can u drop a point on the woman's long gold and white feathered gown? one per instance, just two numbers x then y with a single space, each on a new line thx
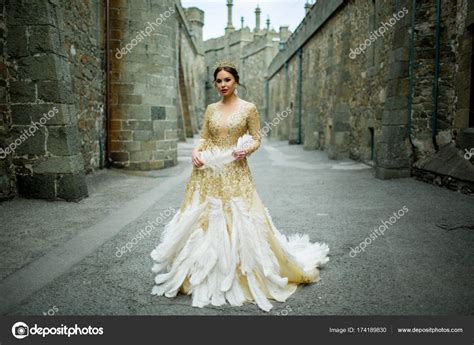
222 245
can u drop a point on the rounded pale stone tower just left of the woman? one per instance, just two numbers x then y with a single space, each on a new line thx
144 95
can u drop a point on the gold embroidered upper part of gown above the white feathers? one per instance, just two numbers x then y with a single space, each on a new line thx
223 130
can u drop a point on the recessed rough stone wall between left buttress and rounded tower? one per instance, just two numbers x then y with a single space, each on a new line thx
82 26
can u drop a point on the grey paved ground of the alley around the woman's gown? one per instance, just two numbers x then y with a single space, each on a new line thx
60 258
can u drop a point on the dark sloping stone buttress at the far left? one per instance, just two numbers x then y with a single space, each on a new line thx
41 127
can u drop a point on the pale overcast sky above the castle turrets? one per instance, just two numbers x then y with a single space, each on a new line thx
281 12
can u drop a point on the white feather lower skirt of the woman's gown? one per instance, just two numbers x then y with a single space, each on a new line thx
232 255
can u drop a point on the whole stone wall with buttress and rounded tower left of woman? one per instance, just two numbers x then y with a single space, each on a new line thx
53 62
